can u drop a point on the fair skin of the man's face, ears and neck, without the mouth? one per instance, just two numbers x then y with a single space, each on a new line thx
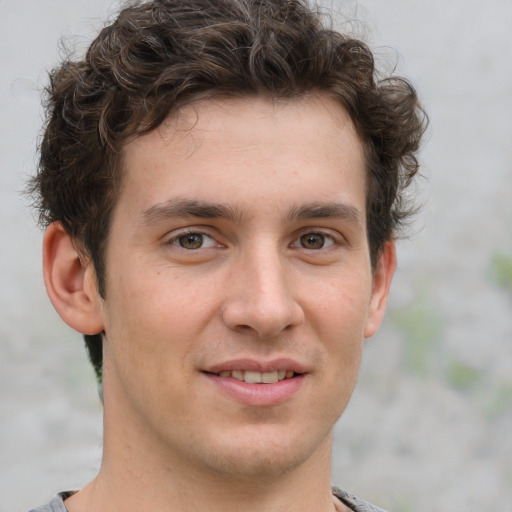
277 268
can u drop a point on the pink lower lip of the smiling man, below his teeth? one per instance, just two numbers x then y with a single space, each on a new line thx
257 395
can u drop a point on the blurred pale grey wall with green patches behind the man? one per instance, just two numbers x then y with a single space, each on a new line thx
430 424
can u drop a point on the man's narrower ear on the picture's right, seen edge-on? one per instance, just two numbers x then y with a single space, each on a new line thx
382 277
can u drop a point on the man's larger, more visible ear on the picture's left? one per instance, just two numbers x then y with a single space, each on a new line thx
70 282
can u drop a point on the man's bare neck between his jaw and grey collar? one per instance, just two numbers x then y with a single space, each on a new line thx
128 485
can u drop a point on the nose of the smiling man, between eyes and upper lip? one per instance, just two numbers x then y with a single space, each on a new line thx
259 296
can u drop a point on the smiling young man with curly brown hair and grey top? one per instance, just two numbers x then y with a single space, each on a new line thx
221 184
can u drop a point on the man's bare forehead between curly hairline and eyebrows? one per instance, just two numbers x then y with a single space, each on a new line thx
247 150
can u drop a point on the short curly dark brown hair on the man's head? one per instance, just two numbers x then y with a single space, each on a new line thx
159 56
